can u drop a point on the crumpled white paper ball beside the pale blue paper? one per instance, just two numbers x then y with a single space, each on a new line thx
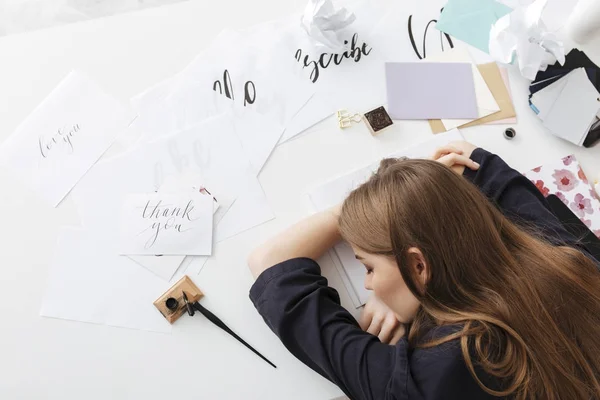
523 34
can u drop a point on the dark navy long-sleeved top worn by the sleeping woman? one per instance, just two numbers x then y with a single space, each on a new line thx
296 303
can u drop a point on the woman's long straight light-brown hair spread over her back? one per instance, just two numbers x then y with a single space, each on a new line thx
529 311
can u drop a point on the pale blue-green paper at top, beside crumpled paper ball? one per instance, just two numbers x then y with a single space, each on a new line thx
471 20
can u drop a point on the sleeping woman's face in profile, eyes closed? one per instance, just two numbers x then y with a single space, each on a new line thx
385 280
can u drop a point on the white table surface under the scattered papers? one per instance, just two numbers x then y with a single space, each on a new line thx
43 358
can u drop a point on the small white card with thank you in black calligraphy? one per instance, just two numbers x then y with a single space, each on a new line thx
167 223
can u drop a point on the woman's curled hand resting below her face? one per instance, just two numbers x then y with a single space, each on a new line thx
379 320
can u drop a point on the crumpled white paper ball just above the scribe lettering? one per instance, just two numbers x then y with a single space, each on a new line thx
323 22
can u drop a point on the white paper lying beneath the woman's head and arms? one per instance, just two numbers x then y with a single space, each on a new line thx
336 190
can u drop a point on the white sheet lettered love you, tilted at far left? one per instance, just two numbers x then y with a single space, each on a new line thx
64 136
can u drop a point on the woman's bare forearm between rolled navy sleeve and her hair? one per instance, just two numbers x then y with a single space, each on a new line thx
309 238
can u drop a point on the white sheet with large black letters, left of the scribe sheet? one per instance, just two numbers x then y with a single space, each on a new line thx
258 85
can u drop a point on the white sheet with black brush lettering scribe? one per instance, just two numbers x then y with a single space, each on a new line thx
351 78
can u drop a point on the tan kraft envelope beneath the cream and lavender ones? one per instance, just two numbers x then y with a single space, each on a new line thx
493 77
